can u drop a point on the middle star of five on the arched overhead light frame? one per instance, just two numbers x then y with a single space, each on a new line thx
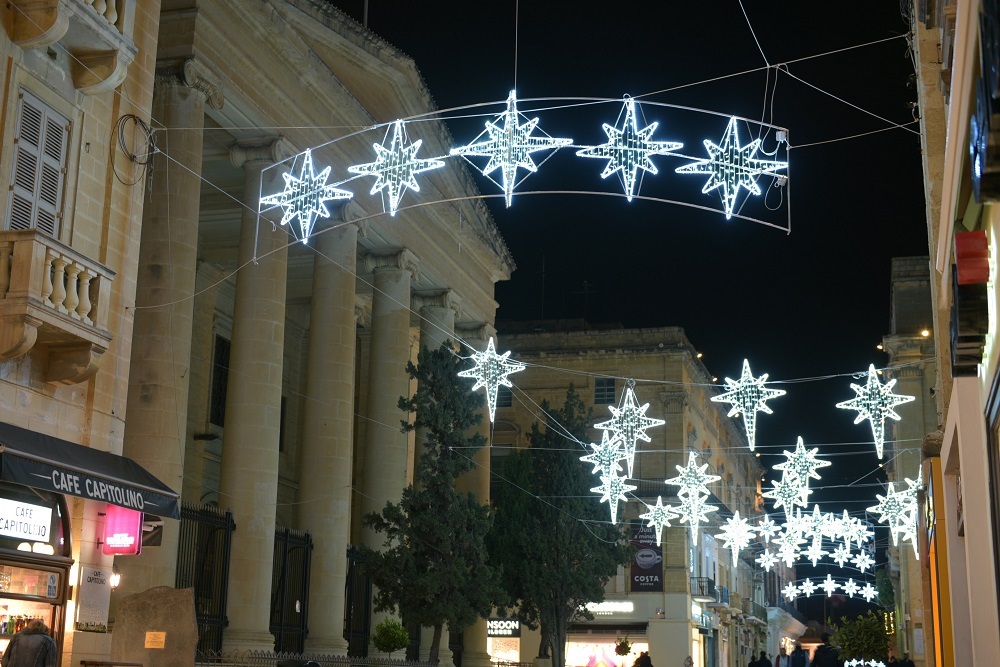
509 146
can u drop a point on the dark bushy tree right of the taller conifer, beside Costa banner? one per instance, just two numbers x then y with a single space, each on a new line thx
551 537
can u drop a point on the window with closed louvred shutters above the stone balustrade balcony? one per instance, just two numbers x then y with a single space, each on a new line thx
39 168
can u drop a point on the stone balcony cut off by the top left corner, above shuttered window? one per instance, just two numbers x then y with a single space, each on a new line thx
93 32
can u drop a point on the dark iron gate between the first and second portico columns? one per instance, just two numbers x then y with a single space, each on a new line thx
203 564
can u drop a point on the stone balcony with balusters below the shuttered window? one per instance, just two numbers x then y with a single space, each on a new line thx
53 298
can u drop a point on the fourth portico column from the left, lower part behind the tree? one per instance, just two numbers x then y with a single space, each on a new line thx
385 459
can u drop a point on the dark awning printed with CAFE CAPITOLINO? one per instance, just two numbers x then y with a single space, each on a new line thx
43 462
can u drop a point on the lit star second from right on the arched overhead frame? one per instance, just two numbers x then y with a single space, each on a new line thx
628 149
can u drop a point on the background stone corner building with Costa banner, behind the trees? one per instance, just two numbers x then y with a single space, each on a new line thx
719 612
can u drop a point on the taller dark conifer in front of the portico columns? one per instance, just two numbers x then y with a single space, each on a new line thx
433 567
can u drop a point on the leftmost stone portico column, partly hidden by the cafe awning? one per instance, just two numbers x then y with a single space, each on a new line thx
156 424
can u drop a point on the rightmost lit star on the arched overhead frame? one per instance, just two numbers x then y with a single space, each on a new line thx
731 167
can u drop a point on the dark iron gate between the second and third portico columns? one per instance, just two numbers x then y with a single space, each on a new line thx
290 590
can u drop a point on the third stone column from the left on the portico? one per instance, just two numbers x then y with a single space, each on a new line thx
326 462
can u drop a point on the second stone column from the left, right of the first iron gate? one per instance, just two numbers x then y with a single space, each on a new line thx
249 479
